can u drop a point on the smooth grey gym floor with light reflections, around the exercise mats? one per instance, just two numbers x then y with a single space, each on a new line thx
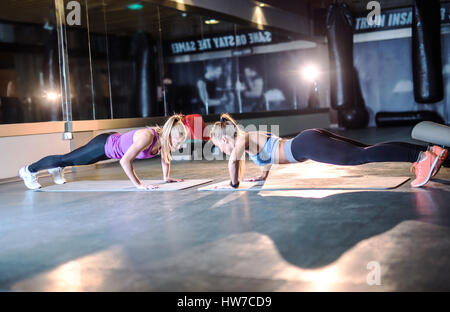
240 241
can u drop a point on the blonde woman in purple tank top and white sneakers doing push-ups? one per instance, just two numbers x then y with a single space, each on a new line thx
141 144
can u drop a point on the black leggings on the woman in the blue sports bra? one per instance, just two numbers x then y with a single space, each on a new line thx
326 147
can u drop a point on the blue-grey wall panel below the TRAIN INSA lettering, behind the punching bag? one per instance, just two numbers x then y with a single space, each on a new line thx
385 75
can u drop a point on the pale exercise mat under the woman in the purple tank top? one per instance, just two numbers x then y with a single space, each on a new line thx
121 186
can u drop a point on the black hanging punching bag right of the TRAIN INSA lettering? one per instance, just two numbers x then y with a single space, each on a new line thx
426 52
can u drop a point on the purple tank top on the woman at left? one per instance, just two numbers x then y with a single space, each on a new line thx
117 145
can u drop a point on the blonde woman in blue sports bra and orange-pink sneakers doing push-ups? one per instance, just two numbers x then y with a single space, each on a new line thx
319 145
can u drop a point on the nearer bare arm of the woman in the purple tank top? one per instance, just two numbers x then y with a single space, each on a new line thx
141 141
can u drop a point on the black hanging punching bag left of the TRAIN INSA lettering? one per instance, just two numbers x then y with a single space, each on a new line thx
340 49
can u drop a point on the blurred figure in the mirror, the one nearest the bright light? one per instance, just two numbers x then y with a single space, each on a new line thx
251 86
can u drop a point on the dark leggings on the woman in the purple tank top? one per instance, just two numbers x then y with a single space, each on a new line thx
88 154
